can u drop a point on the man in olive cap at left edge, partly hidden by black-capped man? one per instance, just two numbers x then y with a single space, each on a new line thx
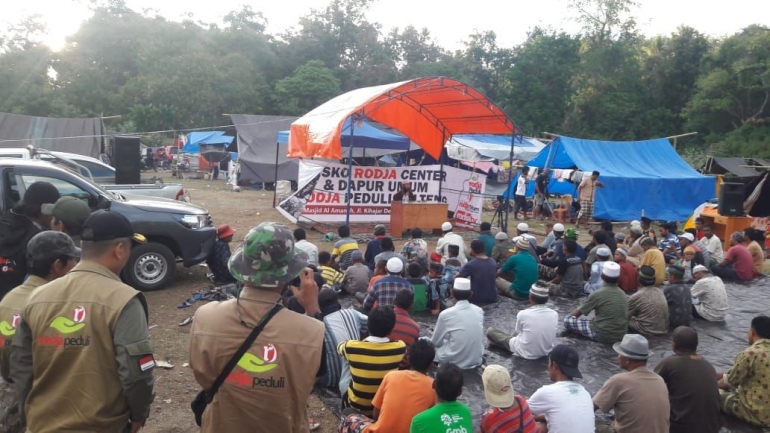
50 255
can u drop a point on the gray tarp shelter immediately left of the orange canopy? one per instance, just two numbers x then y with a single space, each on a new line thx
255 138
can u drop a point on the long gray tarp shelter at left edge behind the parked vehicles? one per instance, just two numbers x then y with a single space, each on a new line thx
81 136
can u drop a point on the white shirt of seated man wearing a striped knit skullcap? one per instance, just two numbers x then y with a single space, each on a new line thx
536 329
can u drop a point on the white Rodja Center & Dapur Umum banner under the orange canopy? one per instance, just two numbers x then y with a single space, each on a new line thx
323 190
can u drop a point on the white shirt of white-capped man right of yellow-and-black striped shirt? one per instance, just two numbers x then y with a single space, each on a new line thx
459 335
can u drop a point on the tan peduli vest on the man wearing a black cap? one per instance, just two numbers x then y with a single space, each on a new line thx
76 385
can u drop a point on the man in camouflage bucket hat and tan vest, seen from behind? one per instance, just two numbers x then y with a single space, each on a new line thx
267 391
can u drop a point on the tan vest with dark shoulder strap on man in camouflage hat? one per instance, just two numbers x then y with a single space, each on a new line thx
268 390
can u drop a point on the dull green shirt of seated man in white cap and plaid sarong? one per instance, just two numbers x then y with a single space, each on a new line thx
611 306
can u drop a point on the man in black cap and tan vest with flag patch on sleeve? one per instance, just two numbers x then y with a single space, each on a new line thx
90 367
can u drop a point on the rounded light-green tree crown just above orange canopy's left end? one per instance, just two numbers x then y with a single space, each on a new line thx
309 86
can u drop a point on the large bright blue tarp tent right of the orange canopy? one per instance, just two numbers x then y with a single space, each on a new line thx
640 177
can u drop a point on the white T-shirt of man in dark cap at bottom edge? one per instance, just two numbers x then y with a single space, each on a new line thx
567 406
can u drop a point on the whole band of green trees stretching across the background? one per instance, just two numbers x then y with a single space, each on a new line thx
607 81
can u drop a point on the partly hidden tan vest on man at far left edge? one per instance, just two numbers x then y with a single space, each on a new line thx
10 316
